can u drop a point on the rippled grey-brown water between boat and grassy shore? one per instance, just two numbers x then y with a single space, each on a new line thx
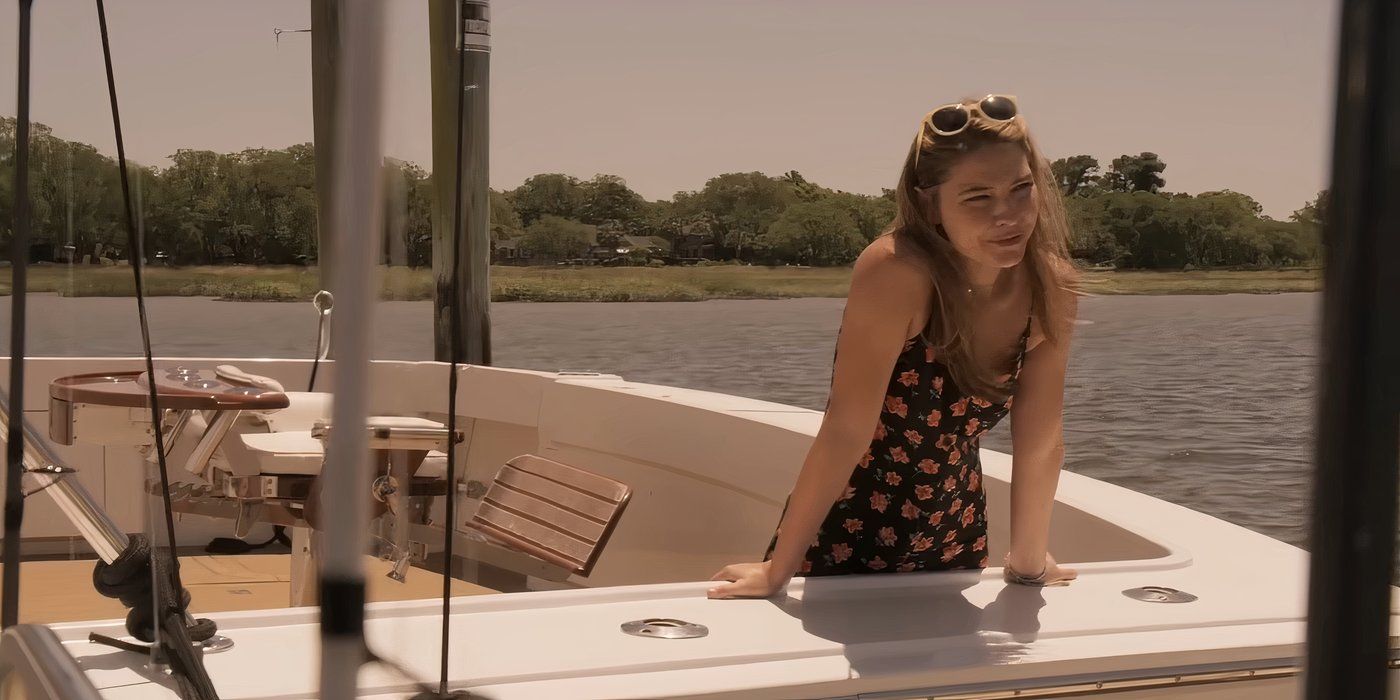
1200 401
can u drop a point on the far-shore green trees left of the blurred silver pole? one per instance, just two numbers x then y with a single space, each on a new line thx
257 206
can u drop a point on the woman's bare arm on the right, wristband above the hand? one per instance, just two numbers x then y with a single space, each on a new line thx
1038 450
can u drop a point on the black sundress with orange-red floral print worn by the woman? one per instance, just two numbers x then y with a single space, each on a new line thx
915 502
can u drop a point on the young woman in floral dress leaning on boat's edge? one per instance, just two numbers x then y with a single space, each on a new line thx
958 316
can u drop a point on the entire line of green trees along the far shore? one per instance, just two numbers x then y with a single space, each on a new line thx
258 208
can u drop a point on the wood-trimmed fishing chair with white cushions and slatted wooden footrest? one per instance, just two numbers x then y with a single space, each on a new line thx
244 449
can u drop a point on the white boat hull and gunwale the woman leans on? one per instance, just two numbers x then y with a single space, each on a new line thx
709 475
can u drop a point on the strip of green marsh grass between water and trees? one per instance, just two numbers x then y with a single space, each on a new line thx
603 283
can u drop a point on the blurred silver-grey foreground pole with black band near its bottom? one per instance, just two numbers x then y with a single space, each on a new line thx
356 218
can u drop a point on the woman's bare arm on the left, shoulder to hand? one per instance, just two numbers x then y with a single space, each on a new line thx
887 295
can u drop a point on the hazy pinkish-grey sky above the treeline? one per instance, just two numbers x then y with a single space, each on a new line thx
666 93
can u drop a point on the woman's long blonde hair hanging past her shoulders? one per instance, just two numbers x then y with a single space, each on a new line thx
932 157
